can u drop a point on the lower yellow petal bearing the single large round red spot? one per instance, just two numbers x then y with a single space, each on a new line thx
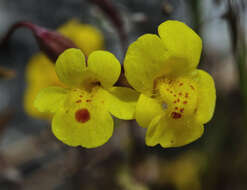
82 122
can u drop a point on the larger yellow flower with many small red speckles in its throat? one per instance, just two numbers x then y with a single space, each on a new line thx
176 98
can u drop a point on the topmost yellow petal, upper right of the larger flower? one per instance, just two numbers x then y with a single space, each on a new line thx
183 44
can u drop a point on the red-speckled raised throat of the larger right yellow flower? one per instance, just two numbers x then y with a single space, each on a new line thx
179 95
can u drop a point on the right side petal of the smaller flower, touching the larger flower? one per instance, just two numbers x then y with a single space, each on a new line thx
121 102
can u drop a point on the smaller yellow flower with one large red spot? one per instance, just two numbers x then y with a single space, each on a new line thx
82 112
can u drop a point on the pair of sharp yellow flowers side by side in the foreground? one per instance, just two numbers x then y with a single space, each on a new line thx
170 96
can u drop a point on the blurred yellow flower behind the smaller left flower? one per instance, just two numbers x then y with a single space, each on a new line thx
40 72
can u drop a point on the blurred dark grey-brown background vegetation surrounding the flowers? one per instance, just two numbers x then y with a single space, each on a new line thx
32 158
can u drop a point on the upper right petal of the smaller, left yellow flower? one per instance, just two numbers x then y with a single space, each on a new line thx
105 67
